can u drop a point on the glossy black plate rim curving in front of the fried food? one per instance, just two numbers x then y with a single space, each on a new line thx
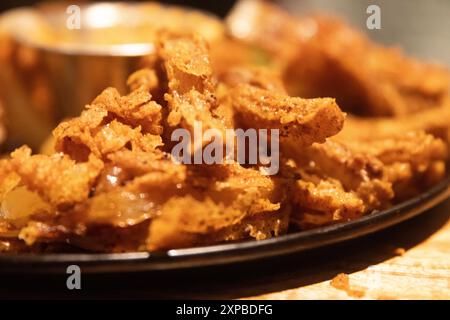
227 253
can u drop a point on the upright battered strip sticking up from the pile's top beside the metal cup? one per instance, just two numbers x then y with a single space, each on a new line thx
190 90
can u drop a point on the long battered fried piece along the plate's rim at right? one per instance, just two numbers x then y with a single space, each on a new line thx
344 180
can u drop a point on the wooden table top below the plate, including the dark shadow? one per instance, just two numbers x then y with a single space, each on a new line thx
408 261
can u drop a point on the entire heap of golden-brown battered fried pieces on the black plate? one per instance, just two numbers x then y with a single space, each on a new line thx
110 183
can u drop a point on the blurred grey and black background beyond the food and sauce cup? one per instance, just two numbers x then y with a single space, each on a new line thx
421 27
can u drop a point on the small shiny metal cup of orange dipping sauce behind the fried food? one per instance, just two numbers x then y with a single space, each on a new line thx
109 46
